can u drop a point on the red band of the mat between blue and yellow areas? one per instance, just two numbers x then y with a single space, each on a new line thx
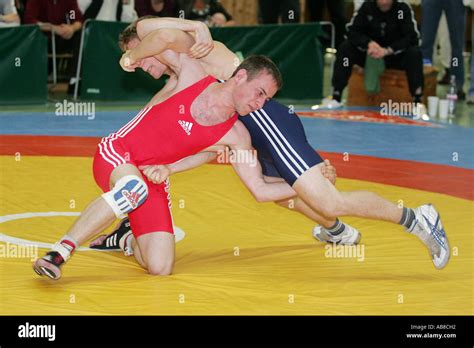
450 180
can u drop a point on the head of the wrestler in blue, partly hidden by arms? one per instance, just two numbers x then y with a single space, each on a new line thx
129 39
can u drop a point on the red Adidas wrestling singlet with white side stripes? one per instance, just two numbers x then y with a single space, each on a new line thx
159 134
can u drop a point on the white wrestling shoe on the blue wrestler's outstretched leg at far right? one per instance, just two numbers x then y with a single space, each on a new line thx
427 226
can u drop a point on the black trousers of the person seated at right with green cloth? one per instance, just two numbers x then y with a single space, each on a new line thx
411 61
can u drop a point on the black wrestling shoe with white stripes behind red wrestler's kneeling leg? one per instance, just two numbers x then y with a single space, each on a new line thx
117 240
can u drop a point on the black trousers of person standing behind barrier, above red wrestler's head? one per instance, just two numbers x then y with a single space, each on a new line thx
271 10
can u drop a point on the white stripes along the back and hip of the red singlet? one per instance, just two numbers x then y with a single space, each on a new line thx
106 147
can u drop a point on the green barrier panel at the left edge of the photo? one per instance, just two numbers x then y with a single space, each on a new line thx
23 65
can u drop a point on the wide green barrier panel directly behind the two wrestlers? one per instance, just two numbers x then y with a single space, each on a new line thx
295 48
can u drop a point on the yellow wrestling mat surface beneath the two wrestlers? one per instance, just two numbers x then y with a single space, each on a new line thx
237 256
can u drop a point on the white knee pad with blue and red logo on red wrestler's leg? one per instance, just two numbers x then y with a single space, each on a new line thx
127 195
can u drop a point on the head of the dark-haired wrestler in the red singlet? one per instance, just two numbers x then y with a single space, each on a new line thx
257 79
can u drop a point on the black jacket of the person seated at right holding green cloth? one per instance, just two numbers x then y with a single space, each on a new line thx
396 28
